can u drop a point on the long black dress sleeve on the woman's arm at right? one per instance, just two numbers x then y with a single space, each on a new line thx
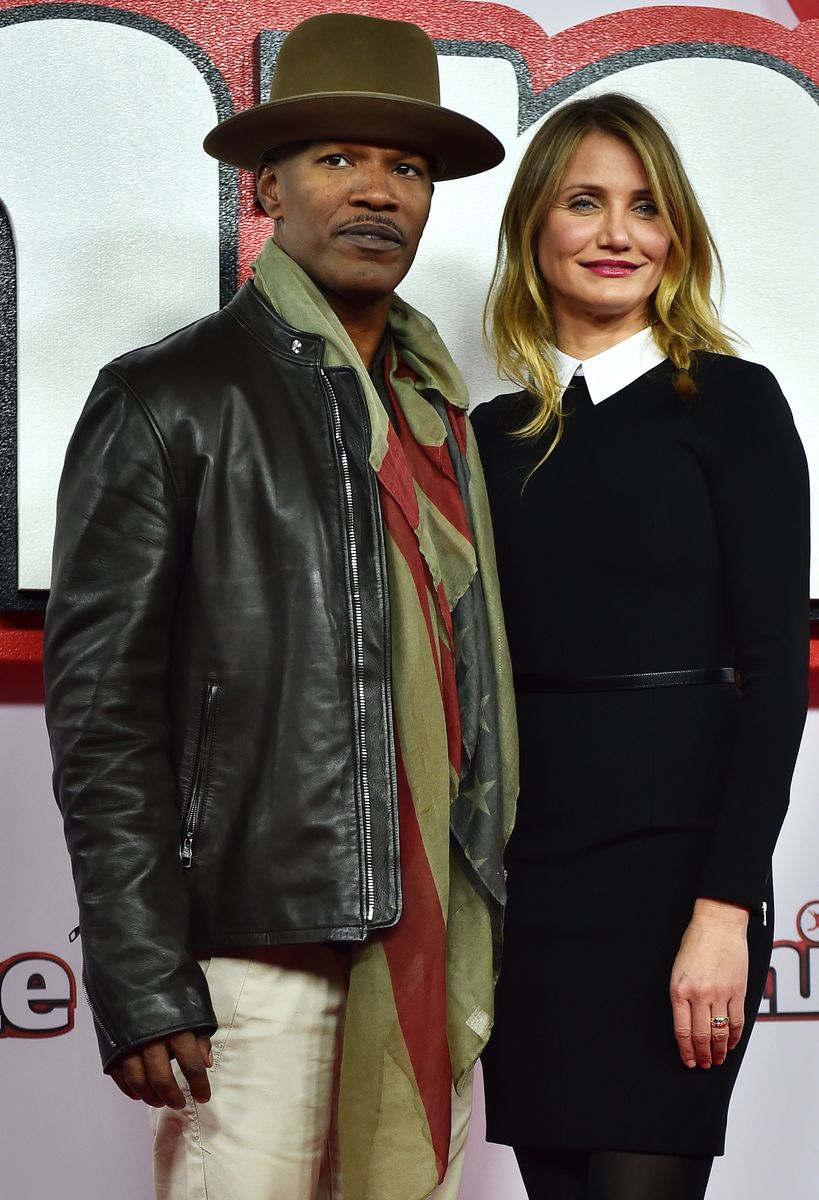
760 489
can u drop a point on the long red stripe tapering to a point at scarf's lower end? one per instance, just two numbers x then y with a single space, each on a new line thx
416 952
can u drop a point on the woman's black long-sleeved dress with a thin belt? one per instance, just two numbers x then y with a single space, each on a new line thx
661 536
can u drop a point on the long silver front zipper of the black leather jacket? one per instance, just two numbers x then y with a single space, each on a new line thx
357 622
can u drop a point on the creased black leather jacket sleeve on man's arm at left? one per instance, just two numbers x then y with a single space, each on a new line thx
118 557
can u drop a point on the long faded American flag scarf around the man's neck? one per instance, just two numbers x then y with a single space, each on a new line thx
420 1006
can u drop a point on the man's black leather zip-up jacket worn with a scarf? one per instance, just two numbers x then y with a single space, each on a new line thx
218 665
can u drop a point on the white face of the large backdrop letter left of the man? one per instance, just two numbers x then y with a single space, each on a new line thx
135 256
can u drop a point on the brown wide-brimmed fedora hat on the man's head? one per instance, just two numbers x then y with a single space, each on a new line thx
342 76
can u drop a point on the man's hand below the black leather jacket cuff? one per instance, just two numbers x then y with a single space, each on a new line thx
146 1075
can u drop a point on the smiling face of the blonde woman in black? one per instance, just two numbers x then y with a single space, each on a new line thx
602 247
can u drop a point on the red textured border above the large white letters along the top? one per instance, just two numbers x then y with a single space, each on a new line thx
235 47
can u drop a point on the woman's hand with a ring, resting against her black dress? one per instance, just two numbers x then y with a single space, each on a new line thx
709 979
